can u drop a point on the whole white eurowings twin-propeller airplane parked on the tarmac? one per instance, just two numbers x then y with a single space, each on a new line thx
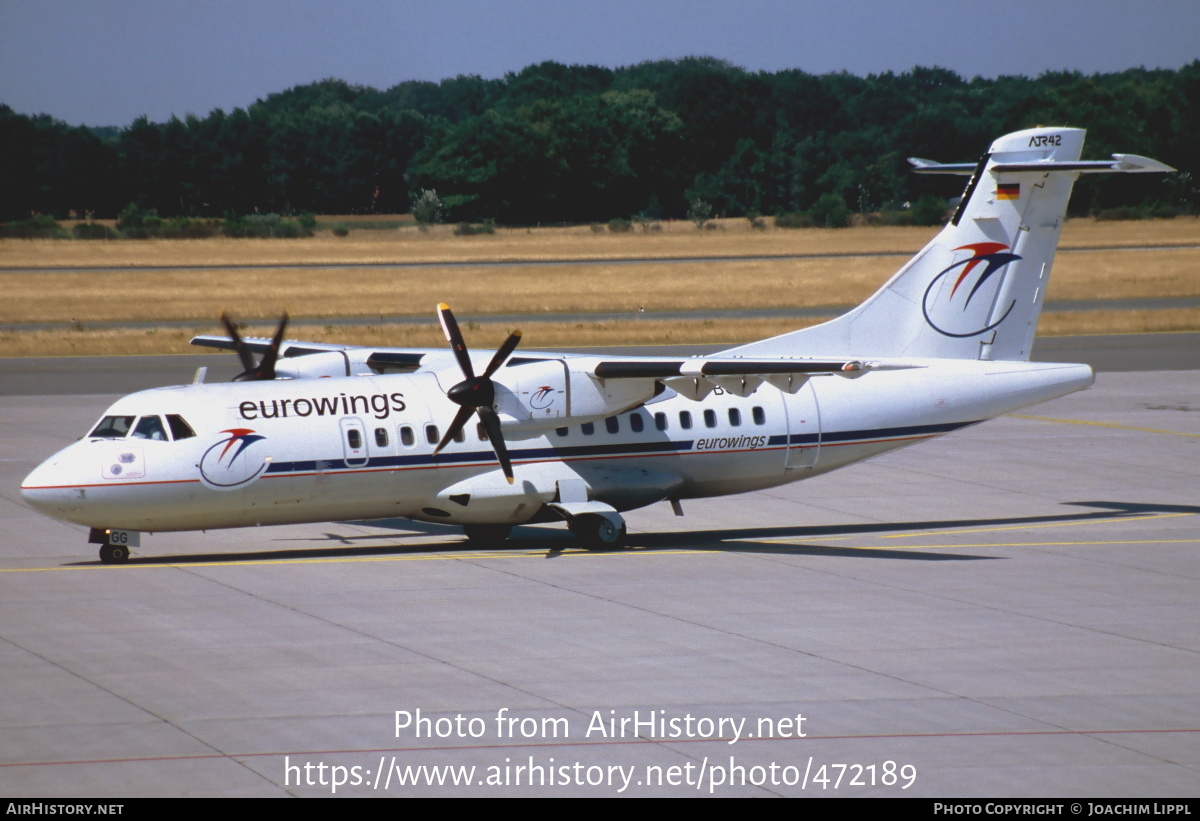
323 433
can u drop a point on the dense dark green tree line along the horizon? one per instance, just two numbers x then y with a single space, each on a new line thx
585 143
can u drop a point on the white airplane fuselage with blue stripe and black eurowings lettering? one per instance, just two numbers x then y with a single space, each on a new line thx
309 451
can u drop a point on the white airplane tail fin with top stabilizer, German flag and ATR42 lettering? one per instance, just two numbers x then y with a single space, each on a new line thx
976 291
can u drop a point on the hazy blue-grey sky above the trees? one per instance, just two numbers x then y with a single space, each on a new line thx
109 62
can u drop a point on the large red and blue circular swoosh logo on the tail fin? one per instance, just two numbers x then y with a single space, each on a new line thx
959 301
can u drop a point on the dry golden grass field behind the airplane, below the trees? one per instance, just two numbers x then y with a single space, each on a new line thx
136 292
